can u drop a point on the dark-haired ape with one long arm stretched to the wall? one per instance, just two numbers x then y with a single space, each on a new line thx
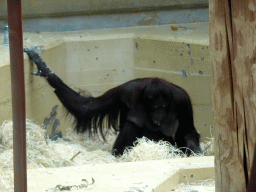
149 107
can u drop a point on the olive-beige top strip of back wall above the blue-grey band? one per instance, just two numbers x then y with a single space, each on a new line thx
50 8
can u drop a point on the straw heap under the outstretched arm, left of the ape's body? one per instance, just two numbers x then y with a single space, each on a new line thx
43 152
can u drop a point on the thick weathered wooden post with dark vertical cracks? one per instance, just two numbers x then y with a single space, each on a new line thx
233 56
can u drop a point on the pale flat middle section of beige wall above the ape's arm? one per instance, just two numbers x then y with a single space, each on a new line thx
99 64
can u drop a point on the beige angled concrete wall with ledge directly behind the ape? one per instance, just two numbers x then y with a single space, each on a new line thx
103 59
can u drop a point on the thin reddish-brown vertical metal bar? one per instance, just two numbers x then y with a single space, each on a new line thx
18 94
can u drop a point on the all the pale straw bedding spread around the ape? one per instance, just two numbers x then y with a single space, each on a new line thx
73 150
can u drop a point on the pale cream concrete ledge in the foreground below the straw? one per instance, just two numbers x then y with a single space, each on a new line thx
162 175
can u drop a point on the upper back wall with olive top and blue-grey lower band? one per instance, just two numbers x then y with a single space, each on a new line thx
70 15
